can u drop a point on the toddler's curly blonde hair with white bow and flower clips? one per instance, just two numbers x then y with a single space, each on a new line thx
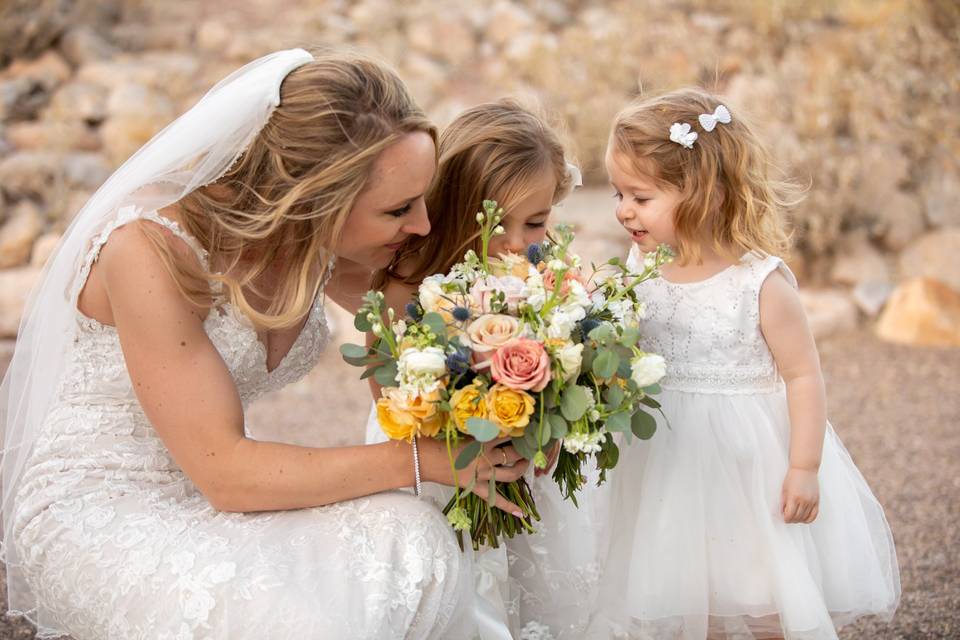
724 179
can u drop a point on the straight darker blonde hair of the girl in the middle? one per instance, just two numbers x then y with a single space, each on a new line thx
491 151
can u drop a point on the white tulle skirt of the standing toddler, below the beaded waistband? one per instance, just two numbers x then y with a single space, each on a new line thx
698 547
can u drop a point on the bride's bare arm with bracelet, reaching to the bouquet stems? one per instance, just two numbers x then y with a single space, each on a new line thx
189 397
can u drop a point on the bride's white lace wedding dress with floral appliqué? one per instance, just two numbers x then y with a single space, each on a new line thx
117 542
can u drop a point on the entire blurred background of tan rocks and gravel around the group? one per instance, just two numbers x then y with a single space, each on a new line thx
859 99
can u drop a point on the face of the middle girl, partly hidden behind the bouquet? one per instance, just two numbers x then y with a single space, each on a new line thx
525 222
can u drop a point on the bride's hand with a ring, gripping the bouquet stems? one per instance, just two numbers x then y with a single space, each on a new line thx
503 463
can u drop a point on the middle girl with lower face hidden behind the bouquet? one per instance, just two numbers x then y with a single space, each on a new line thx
503 151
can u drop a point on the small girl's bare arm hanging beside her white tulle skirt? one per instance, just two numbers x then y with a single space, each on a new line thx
785 329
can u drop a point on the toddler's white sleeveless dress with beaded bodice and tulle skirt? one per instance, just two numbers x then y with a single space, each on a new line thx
698 544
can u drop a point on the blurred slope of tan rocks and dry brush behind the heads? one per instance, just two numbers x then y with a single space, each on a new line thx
858 99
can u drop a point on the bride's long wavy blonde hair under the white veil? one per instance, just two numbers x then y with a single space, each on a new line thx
286 199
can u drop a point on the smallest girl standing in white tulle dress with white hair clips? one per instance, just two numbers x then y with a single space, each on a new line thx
744 517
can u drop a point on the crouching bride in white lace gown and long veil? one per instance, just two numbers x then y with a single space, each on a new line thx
193 282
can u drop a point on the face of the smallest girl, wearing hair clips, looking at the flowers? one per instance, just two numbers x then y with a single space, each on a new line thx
646 210
